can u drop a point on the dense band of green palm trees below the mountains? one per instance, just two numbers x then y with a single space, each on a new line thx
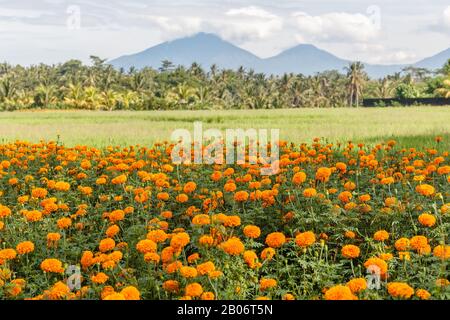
73 85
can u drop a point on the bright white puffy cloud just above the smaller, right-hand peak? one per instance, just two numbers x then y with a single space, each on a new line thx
336 27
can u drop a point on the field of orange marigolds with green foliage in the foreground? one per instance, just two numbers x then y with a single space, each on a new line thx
140 227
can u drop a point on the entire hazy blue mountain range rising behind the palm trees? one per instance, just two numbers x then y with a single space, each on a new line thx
208 49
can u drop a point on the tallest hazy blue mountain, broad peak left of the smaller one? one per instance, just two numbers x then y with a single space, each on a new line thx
203 48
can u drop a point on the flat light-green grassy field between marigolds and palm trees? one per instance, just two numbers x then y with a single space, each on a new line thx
413 126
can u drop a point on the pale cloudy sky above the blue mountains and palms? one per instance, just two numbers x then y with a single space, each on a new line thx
375 31
